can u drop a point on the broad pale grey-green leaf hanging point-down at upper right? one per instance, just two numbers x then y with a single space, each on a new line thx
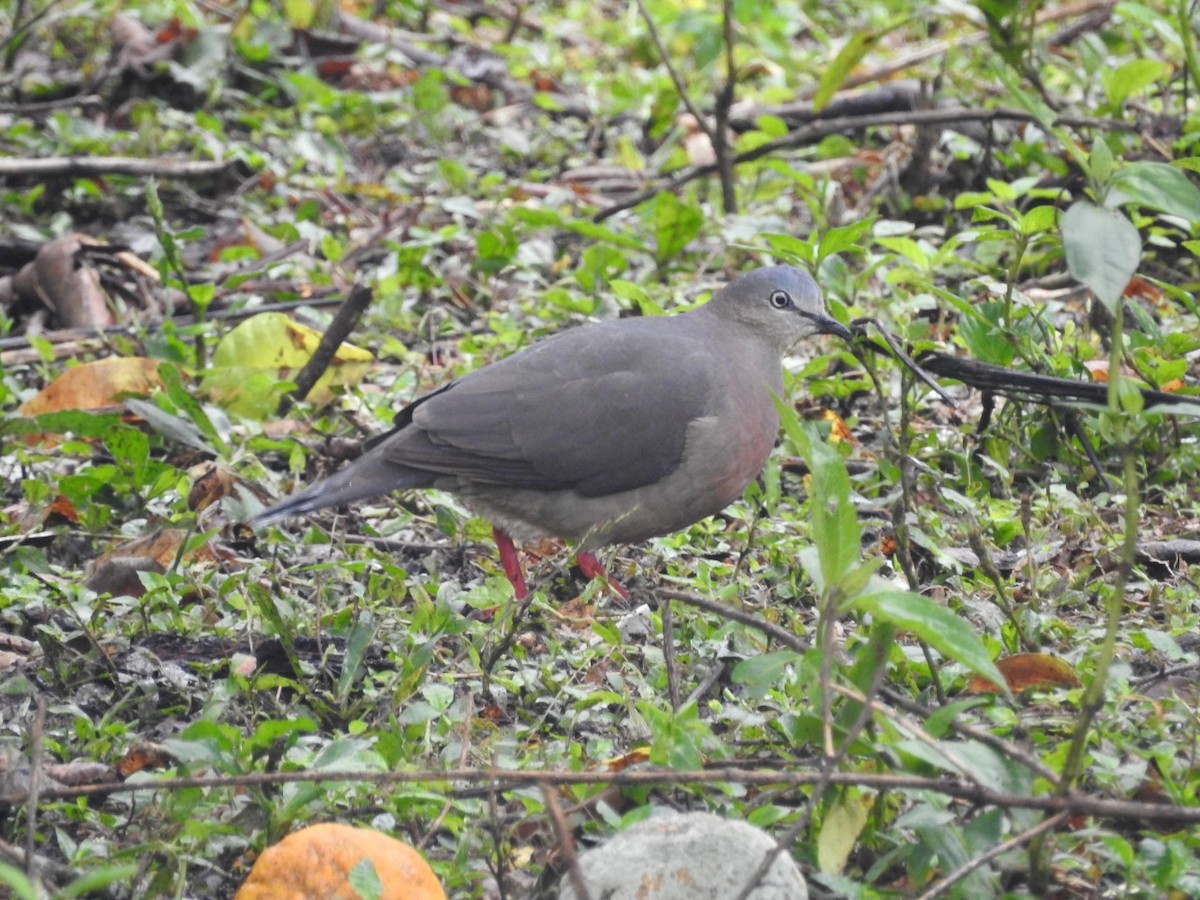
1103 250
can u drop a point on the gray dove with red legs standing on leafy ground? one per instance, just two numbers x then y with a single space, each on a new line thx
613 433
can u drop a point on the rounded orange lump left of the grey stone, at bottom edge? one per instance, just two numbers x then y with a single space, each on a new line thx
316 862
